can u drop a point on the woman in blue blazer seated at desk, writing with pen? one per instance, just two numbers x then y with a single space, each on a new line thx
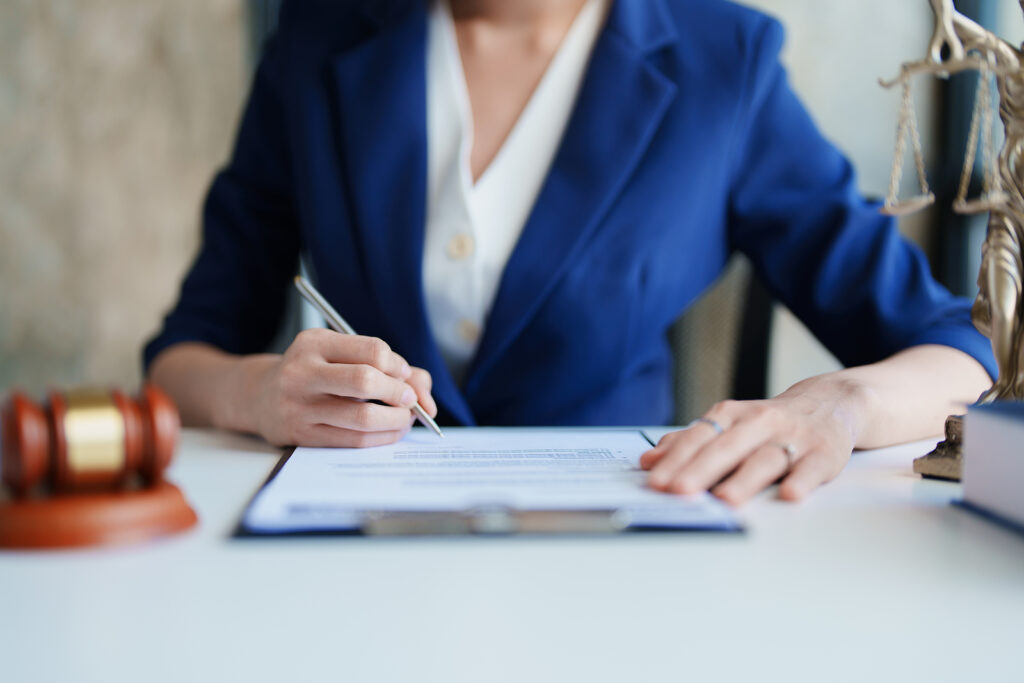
521 198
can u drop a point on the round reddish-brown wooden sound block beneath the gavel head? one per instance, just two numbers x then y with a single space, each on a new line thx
106 519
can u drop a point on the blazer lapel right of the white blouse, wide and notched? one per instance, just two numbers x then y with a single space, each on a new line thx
621 104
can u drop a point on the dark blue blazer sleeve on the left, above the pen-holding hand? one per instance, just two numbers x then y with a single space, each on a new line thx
235 293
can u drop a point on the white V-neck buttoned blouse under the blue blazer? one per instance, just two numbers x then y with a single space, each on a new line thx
473 228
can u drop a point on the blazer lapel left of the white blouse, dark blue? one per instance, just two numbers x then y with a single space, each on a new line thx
381 102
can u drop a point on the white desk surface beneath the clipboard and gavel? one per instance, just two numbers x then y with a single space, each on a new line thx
875 578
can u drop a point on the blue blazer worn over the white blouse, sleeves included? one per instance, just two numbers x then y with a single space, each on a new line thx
686 145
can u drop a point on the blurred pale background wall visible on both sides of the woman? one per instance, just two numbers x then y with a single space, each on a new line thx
115 114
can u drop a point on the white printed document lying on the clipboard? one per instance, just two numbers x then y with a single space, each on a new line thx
518 469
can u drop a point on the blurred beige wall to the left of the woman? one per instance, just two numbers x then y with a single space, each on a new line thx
114 114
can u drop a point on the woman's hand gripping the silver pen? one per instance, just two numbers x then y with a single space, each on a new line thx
319 393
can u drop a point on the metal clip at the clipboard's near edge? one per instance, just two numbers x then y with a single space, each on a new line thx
493 521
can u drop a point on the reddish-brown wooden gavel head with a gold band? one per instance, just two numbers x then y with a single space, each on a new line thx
88 440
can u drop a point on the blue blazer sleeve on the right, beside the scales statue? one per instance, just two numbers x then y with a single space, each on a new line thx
824 251
